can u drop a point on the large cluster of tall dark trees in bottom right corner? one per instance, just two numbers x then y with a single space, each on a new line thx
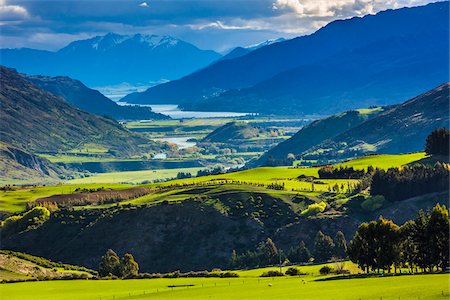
420 243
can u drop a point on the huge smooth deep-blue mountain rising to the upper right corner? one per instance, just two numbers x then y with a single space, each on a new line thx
377 59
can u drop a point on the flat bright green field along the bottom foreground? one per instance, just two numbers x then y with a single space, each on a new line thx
402 287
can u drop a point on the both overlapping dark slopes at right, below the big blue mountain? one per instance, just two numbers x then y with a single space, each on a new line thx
394 129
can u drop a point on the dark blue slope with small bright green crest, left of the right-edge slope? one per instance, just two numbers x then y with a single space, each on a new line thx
313 134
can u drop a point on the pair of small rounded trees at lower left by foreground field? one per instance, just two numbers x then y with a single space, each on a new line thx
112 265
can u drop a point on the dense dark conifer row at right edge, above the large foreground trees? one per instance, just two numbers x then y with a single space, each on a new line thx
409 181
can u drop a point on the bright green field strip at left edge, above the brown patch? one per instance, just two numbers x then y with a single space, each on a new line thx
15 201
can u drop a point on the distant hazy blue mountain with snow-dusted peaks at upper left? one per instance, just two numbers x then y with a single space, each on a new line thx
113 59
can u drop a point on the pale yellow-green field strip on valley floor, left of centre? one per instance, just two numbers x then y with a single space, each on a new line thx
133 176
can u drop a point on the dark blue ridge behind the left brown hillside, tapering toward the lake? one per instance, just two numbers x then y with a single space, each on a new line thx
76 93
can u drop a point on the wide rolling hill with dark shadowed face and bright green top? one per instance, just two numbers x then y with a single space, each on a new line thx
193 224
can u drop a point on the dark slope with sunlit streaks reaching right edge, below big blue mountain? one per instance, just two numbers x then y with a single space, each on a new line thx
401 129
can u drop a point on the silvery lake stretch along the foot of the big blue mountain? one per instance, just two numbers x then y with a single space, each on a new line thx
174 112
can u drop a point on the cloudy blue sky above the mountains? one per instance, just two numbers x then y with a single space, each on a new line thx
209 24
